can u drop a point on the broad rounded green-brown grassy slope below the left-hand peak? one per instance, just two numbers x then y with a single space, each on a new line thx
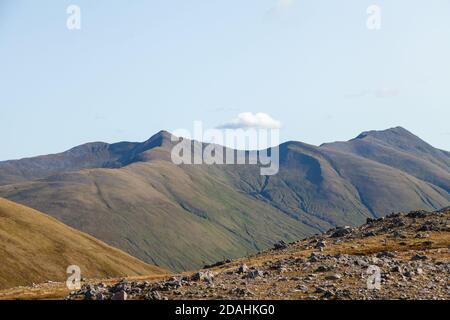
179 218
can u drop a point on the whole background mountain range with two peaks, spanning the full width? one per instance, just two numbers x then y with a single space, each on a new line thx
181 217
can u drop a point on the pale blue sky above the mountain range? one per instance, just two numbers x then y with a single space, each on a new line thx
313 67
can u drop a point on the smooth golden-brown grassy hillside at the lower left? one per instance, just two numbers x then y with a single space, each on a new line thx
37 248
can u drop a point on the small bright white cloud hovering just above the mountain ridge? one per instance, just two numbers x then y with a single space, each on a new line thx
248 120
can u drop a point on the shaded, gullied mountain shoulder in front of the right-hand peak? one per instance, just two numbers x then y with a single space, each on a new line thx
335 188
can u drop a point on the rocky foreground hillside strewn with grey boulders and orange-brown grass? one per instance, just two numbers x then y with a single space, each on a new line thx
402 256
